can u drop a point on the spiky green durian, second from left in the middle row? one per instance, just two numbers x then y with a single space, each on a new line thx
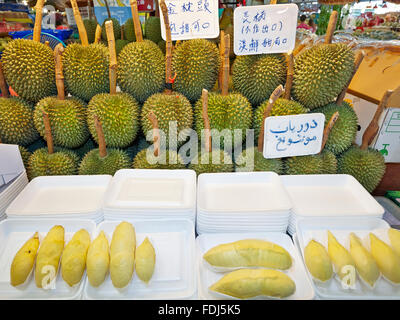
67 119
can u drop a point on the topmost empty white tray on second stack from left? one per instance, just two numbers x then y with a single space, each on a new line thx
138 189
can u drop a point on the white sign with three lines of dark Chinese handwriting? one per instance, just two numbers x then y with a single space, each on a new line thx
265 29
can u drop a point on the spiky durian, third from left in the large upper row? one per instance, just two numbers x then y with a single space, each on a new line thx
141 69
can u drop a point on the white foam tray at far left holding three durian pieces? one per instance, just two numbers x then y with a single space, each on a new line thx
13 234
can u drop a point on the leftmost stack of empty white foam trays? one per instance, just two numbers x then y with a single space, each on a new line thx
61 197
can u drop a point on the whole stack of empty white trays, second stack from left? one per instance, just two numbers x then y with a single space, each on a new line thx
143 194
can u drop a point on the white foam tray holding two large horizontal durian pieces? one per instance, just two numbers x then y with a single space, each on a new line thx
207 277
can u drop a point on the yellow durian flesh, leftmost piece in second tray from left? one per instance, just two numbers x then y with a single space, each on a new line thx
98 260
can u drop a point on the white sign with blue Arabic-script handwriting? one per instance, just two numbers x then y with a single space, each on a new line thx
296 135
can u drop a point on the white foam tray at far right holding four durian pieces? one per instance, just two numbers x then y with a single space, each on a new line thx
308 229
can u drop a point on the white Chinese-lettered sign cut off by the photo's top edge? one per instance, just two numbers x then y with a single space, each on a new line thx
191 19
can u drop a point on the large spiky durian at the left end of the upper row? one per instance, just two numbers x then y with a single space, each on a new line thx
28 67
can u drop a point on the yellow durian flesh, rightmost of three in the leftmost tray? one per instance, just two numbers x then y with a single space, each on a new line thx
73 261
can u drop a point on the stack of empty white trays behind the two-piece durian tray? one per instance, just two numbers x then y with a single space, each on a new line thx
241 202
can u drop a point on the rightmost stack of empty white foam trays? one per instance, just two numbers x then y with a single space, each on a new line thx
337 195
